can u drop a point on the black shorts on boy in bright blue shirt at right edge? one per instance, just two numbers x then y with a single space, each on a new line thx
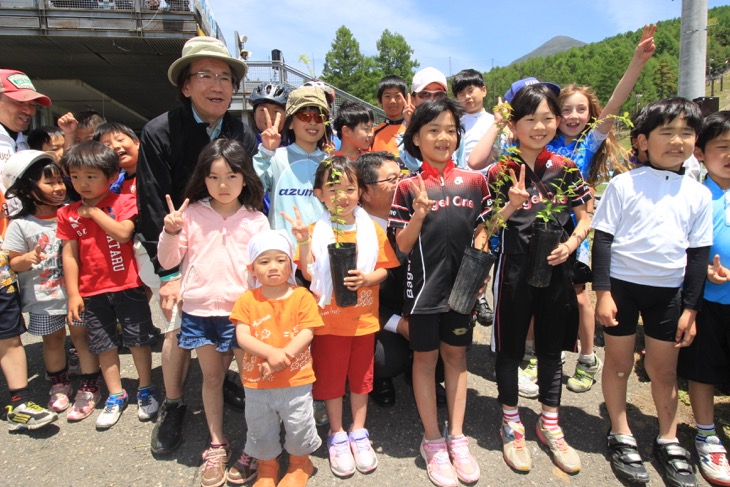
707 360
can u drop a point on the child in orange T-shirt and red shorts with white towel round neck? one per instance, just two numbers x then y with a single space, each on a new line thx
348 335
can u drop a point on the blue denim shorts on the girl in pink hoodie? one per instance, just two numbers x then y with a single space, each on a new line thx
198 331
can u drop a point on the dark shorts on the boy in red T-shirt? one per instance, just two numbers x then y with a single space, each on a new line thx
128 307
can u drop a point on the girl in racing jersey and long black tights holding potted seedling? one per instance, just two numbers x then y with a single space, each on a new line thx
552 189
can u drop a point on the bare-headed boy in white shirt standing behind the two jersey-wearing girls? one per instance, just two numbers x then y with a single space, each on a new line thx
469 89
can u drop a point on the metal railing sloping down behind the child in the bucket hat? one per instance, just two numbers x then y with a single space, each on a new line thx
260 71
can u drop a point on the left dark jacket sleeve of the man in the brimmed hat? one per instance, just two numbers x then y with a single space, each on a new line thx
154 181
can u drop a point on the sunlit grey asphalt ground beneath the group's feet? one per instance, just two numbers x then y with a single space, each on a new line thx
65 454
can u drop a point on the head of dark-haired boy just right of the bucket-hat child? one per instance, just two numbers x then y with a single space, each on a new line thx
354 125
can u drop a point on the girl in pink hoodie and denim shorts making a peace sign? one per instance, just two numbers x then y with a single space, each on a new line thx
209 240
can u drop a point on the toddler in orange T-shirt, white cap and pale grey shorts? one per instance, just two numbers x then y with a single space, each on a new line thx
274 321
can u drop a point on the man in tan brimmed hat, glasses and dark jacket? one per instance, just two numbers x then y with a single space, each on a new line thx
206 76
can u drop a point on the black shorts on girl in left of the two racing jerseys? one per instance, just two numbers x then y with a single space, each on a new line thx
426 332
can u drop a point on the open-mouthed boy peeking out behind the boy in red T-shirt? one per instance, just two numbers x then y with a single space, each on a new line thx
122 140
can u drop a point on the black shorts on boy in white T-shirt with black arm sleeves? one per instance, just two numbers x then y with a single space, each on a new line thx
659 307
